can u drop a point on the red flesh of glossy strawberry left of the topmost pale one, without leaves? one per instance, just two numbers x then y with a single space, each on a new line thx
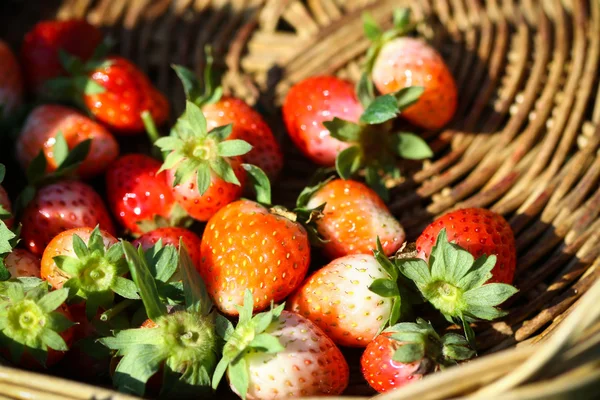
310 103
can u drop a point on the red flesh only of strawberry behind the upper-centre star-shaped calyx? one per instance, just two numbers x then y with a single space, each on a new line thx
248 125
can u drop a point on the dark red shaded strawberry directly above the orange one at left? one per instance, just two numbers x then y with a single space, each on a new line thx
61 206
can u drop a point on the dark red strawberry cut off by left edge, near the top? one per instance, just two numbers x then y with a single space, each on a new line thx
11 81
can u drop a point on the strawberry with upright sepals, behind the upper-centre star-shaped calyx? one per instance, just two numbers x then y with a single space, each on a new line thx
247 124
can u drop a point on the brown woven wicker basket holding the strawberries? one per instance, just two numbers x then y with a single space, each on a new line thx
524 143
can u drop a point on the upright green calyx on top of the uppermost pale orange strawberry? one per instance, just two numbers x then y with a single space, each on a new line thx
373 32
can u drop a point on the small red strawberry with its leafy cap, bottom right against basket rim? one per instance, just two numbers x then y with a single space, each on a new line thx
406 352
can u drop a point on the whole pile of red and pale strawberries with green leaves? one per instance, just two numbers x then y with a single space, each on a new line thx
170 272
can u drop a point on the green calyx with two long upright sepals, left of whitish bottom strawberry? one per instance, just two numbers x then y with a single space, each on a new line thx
182 341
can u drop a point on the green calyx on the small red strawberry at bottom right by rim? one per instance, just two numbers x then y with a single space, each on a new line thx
420 342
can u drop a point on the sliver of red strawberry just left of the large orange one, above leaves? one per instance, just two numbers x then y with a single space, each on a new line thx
171 236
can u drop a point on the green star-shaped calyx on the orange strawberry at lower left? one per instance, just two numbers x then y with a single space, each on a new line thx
96 273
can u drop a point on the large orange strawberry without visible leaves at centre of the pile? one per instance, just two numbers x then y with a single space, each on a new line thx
247 246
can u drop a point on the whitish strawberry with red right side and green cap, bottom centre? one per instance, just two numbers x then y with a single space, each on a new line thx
279 354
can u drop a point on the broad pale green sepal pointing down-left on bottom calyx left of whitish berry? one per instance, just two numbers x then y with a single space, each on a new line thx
136 367
